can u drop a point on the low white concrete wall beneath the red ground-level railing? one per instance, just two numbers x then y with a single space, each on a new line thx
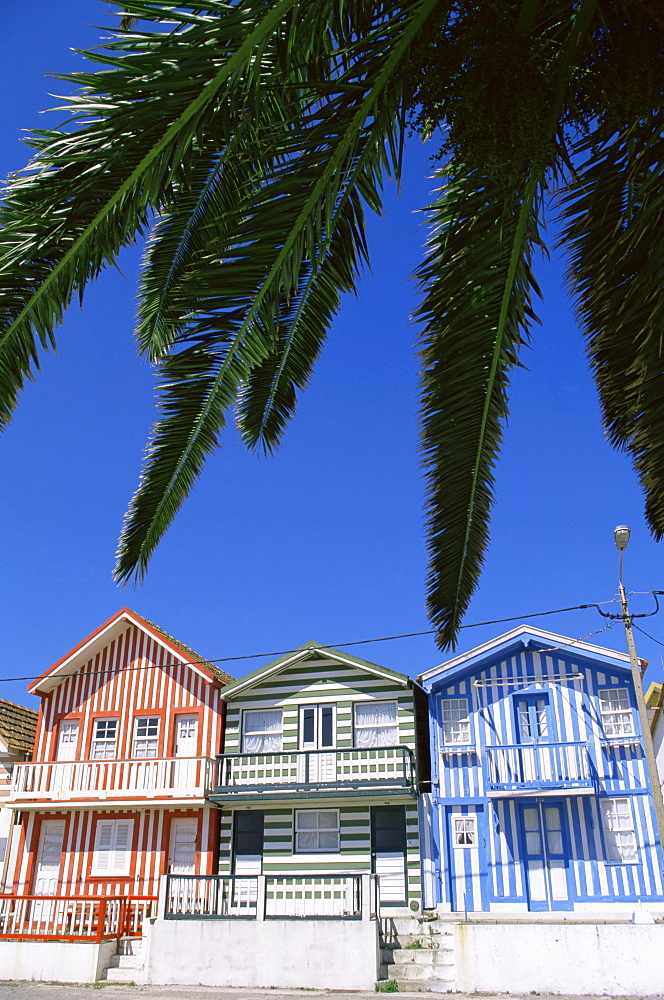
54 961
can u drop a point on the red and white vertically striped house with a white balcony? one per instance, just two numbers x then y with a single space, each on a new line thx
115 796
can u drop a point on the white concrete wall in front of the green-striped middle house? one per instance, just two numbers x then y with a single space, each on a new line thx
305 954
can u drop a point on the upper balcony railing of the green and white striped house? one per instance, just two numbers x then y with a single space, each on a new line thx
378 766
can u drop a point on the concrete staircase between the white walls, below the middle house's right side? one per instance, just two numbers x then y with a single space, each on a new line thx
418 954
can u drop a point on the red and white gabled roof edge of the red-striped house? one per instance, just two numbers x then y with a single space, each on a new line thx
123 620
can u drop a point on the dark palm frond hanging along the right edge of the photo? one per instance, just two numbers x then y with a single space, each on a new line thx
614 211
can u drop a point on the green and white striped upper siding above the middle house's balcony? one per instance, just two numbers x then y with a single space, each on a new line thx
319 682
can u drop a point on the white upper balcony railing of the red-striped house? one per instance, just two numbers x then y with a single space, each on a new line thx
184 777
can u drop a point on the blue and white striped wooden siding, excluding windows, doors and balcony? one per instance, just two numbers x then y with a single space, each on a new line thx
494 873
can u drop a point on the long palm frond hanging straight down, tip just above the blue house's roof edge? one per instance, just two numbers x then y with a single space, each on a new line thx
476 316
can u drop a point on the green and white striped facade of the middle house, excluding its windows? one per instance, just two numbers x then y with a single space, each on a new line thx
304 682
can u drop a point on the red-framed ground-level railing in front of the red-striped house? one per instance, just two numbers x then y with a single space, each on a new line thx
73 918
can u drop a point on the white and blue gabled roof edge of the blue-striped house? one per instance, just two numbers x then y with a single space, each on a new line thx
522 637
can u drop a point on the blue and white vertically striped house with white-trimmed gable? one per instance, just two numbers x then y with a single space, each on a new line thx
540 796
